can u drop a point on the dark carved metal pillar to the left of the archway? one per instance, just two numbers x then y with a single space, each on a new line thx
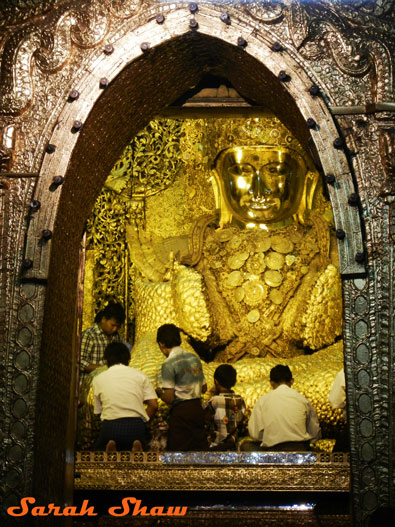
21 313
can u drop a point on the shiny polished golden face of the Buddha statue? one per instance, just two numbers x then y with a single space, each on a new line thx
260 185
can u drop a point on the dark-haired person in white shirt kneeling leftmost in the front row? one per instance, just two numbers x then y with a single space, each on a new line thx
120 394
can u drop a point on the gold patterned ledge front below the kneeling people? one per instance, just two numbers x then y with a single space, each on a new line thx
146 471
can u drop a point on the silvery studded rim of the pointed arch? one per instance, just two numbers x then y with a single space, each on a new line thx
334 161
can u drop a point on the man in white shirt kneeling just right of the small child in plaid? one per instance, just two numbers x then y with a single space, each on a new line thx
283 419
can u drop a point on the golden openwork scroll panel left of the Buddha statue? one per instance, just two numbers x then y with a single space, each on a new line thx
148 165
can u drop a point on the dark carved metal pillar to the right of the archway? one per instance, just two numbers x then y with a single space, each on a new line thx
369 320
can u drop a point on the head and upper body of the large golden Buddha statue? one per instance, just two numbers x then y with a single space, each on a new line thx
266 285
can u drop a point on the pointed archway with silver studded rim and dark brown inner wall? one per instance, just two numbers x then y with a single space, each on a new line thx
120 87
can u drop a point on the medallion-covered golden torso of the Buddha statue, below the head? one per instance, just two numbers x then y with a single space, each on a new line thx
277 284
